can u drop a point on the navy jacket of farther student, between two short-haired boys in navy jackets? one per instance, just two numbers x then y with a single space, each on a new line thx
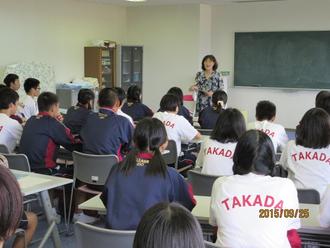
76 117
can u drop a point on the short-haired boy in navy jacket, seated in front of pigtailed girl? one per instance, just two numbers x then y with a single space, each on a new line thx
106 132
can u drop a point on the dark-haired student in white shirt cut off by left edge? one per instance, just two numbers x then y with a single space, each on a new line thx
10 130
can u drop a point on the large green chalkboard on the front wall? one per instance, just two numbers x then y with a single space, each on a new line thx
283 59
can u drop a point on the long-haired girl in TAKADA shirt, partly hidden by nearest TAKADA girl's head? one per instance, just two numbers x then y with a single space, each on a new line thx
216 154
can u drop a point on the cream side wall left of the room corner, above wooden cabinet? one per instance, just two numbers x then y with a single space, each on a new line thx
55 32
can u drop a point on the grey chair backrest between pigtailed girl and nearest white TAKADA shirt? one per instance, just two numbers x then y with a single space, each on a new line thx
201 183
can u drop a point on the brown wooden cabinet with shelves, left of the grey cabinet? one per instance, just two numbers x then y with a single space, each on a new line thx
100 64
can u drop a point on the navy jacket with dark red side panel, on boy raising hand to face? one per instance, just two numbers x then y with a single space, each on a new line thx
42 136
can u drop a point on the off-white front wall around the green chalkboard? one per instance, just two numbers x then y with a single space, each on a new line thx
273 16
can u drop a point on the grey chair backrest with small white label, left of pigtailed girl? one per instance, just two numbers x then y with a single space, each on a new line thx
92 169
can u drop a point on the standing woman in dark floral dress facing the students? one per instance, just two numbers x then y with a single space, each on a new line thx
207 81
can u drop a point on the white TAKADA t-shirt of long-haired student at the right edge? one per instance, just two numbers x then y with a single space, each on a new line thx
308 168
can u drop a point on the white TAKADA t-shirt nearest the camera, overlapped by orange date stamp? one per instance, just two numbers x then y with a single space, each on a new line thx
235 204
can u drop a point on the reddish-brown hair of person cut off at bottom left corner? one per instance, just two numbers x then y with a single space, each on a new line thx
11 207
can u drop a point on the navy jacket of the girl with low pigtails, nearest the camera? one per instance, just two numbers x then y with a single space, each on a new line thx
127 197
